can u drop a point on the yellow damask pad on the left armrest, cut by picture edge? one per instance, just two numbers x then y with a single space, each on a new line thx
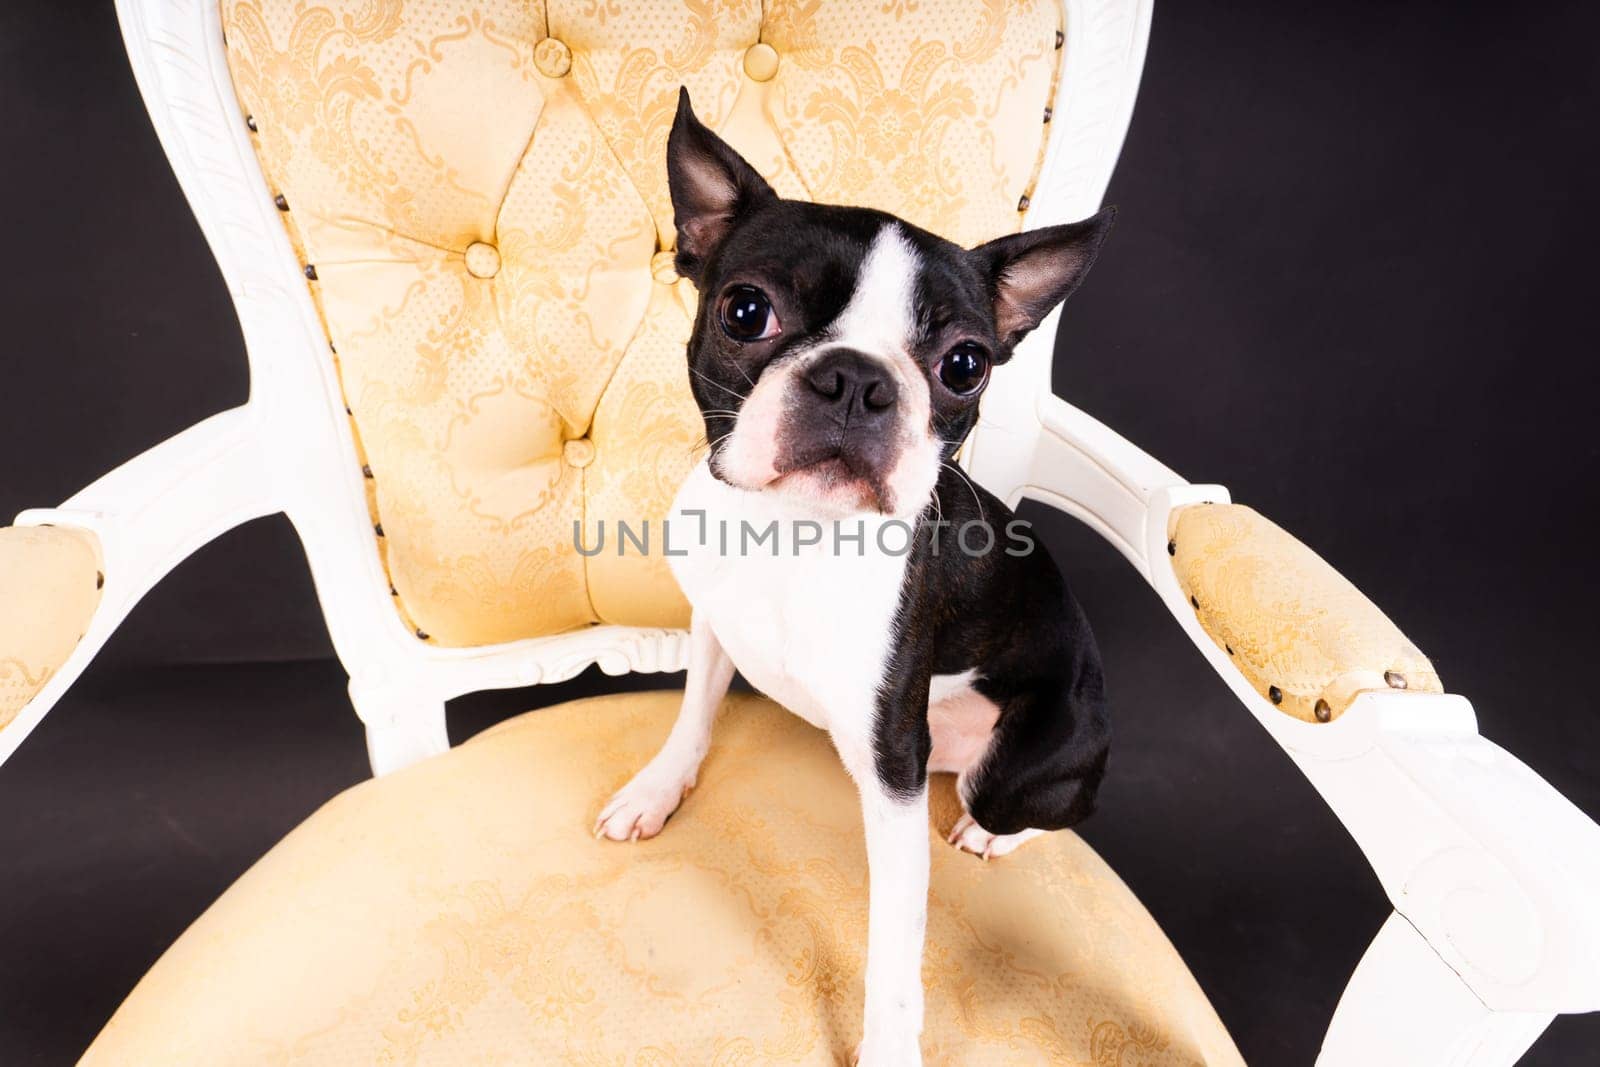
50 586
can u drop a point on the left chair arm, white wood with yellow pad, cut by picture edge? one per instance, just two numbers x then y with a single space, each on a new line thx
71 575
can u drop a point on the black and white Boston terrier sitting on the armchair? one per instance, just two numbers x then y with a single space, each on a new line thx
838 359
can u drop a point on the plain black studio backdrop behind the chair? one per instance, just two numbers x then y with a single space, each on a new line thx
1353 279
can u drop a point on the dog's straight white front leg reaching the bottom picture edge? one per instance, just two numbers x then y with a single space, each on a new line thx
897 833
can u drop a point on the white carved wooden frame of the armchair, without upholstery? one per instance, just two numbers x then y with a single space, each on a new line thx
1492 873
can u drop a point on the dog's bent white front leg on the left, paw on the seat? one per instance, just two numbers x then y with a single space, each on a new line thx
641 809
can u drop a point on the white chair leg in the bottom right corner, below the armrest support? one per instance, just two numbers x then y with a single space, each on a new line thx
1404 1005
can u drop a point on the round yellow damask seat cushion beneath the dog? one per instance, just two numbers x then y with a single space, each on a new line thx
462 913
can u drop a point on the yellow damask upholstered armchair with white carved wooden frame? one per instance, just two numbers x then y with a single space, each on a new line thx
447 231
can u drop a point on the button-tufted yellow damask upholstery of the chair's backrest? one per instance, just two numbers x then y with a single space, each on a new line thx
479 191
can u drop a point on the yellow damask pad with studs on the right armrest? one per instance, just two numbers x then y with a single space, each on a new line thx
1300 631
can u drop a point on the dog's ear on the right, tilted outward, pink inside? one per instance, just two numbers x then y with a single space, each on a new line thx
1034 271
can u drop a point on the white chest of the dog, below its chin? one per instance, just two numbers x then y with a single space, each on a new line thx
804 607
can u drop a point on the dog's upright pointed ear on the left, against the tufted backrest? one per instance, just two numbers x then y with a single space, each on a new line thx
711 188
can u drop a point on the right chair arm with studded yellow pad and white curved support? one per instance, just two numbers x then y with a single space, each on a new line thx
1490 865
